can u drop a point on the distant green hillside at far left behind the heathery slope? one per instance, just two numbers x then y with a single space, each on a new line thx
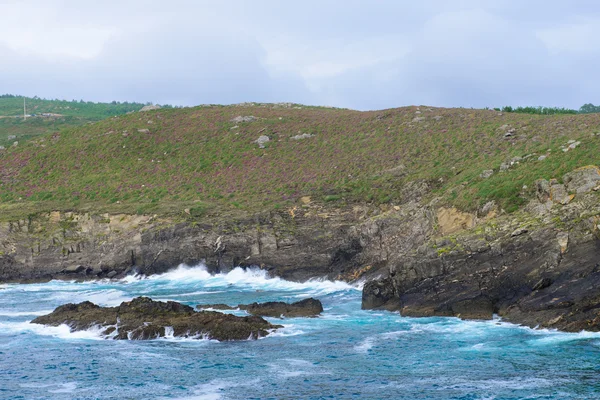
73 113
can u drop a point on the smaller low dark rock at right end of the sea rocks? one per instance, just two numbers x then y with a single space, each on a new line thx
277 309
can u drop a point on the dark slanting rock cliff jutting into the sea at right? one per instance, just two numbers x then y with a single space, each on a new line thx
538 267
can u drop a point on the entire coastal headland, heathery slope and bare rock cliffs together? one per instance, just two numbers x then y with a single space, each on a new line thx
450 212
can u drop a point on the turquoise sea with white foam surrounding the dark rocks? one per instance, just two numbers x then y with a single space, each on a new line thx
346 353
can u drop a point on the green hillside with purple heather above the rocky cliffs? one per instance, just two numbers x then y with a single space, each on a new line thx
195 158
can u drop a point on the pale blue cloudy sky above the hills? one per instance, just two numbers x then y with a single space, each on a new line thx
360 54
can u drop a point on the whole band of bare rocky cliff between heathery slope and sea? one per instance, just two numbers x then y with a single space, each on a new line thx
539 266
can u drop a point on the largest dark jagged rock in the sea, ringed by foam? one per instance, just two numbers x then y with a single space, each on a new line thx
143 318
